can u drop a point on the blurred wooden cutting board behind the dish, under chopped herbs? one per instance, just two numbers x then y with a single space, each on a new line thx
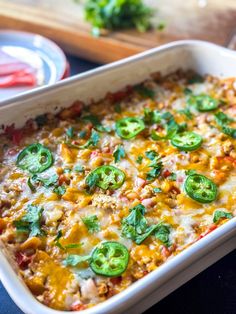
63 22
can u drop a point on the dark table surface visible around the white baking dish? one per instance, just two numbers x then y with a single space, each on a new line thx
211 292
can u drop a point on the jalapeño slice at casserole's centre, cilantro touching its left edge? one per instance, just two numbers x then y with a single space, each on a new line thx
106 177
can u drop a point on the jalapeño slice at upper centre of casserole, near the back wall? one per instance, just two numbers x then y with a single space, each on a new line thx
129 127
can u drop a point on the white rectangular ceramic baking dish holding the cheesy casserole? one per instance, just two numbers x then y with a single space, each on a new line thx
202 57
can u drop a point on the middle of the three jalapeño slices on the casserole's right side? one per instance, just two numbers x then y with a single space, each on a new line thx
186 141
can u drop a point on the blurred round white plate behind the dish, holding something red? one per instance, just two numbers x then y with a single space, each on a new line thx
38 52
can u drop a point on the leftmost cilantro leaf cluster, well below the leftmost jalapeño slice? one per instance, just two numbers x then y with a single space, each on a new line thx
31 221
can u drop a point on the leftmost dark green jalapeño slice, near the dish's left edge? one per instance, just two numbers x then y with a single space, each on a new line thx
35 158
